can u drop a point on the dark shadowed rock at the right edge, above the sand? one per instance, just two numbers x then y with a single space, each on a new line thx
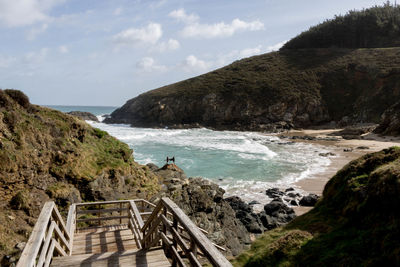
390 122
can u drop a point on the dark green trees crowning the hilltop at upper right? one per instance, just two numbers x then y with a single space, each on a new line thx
378 26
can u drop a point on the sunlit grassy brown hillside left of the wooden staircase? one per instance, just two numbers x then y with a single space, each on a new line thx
46 154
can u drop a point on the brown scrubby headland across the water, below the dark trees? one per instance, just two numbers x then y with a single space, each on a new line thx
293 87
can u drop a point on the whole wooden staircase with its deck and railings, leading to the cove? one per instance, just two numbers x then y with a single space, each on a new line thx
119 233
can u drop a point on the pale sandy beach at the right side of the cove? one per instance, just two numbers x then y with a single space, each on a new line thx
344 150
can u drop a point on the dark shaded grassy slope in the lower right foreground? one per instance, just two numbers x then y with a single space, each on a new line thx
357 222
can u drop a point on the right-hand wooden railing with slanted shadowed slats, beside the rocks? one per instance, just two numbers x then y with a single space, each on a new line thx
180 237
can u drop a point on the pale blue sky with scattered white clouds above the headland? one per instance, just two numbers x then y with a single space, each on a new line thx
104 52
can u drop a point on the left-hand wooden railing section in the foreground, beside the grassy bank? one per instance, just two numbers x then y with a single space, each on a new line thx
49 237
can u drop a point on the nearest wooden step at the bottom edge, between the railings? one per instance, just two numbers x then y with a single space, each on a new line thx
141 258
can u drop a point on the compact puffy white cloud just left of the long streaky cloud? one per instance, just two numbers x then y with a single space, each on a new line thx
149 34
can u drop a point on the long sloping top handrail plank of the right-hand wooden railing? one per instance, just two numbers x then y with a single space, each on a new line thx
210 251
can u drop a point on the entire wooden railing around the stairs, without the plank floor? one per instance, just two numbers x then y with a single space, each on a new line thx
151 225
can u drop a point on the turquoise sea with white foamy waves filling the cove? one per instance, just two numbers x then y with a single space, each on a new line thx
242 163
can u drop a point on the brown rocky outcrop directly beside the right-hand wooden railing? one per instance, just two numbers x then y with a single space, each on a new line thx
203 202
